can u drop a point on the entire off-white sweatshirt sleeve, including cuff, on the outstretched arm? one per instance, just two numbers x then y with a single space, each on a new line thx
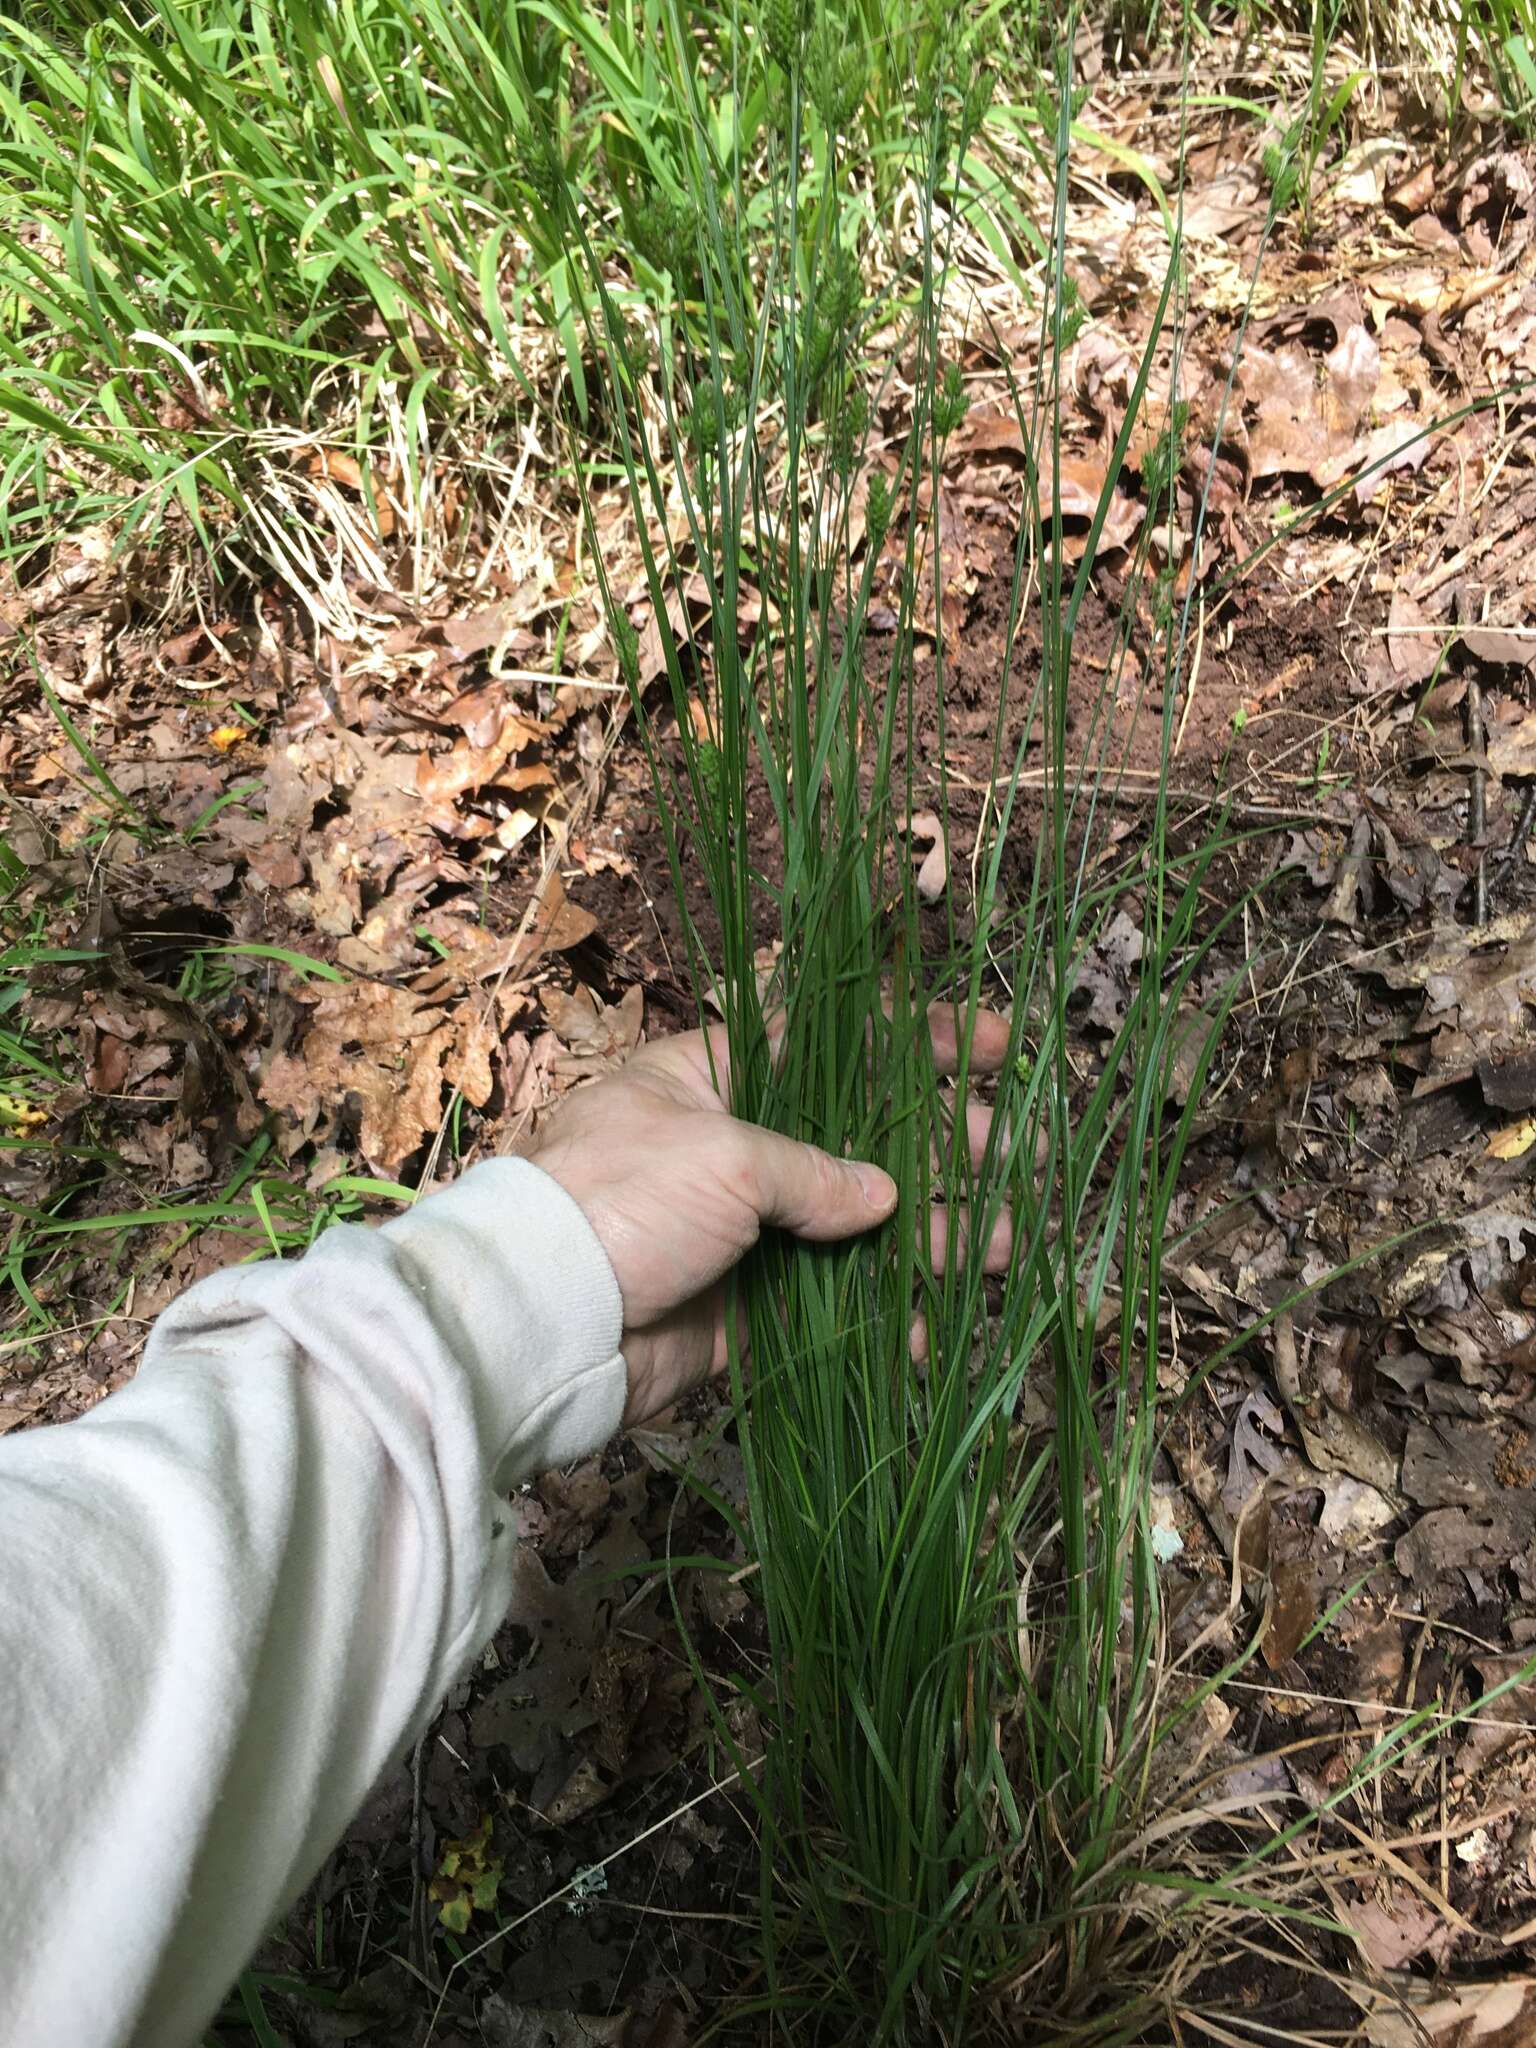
239 1588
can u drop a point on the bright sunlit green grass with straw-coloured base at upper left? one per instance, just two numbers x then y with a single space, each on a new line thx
234 230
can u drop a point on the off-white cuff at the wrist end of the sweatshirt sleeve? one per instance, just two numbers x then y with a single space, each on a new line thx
513 1275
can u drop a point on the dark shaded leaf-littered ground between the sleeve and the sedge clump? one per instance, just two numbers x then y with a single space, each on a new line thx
624 1852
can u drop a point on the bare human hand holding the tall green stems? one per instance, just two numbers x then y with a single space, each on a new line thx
679 1191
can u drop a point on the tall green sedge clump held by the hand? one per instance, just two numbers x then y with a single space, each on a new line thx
962 1607
